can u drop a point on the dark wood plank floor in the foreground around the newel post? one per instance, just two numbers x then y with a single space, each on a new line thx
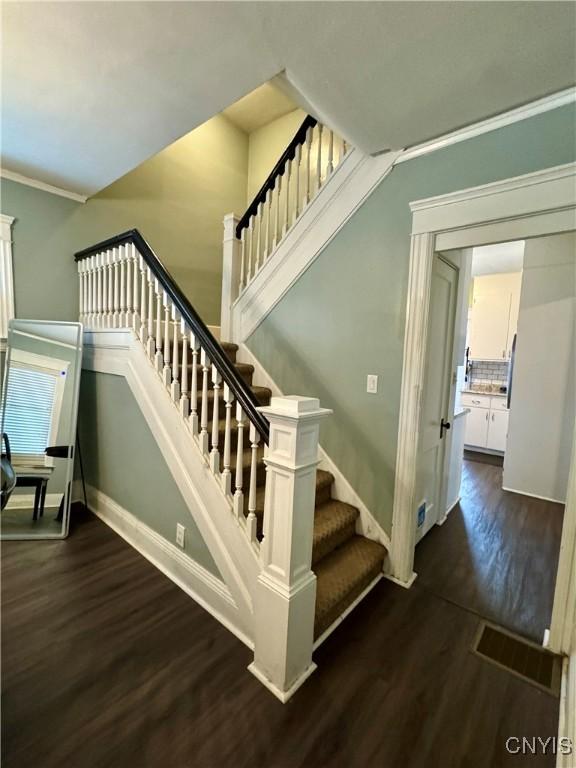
107 664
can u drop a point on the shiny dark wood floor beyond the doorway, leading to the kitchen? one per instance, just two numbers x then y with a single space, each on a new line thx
497 553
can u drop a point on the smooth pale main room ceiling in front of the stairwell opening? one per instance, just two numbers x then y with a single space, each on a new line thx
92 89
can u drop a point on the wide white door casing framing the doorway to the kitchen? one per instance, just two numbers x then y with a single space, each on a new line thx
525 206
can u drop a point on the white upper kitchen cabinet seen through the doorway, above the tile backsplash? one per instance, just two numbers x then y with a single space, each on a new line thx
494 315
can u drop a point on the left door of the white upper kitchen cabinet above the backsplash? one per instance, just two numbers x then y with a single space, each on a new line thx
489 328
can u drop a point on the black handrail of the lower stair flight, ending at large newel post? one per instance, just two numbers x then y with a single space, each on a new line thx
226 369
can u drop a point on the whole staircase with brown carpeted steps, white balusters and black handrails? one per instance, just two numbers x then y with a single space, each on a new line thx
291 557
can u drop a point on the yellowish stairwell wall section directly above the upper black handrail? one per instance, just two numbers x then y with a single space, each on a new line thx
265 146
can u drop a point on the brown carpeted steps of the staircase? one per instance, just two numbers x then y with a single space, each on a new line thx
345 563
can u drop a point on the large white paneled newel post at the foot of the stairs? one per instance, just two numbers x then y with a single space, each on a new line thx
286 589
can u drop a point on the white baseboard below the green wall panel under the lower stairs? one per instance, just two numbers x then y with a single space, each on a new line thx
198 583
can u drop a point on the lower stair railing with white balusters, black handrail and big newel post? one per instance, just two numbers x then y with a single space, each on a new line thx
124 285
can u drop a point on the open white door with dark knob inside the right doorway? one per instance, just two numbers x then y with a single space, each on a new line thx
436 394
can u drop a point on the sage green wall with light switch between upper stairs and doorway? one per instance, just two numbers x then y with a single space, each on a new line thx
344 318
